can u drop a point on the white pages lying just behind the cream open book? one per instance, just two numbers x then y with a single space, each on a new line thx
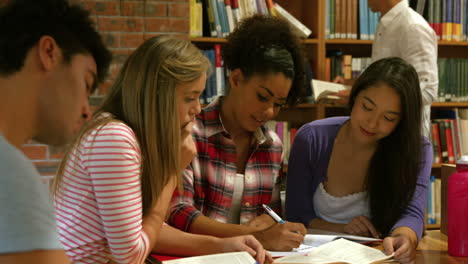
312 241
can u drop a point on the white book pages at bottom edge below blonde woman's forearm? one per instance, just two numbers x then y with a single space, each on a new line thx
225 258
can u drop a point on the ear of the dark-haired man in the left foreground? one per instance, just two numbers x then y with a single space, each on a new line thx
49 53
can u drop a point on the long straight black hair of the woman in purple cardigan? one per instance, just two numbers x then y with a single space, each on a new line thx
393 169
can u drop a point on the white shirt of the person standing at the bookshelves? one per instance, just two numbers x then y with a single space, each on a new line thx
404 33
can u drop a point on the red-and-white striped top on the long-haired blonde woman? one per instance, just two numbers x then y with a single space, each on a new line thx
99 208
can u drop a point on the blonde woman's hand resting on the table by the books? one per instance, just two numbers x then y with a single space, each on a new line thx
246 243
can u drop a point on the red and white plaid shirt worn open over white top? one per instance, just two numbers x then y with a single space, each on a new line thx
209 180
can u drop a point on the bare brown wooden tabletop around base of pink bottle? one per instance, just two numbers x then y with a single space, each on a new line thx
433 250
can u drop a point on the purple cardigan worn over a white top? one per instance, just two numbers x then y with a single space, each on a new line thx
308 165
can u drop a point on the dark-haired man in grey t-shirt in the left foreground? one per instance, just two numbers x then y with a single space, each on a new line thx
51 59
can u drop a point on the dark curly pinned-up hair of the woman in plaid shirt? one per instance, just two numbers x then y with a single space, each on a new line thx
263 45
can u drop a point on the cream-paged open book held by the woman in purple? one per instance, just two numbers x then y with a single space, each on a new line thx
338 251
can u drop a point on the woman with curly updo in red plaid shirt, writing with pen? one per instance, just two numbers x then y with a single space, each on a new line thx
238 162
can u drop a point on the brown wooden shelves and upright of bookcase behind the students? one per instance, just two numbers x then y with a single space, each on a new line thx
312 14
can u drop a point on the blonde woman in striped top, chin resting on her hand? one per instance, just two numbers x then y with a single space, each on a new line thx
114 185
